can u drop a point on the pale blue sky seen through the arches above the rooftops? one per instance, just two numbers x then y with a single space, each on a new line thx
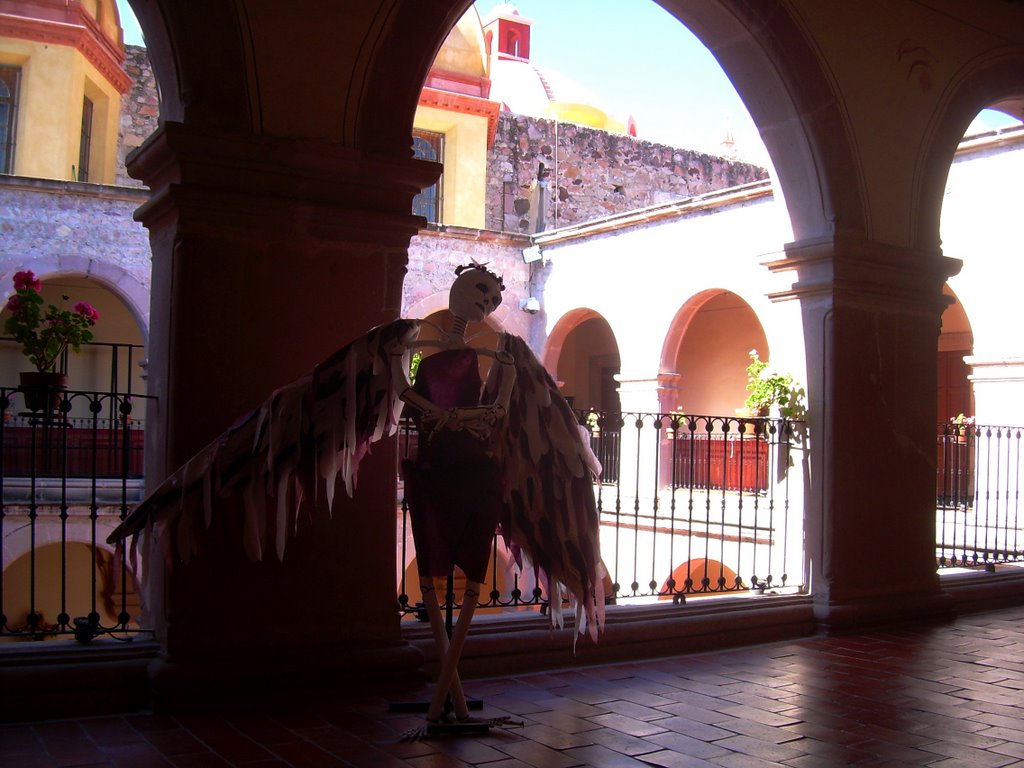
636 60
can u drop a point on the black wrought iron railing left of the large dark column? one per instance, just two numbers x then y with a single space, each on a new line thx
65 484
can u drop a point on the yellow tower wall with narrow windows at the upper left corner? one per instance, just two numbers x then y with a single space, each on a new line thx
55 80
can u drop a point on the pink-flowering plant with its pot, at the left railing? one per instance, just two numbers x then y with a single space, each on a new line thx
46 331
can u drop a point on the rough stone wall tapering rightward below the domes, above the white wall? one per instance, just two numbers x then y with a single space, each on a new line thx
544 175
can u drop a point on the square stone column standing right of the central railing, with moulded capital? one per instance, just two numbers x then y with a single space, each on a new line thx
872 318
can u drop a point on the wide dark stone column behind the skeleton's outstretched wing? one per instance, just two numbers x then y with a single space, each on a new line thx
268 255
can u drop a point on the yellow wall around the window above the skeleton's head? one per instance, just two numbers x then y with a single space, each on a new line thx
464 183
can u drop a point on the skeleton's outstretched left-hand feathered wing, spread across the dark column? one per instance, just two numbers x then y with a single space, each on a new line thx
318 428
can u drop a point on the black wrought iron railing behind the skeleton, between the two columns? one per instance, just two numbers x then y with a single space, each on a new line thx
690 505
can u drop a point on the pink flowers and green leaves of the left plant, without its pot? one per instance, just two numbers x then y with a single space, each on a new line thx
45 331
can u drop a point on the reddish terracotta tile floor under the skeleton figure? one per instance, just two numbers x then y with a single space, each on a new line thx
950 695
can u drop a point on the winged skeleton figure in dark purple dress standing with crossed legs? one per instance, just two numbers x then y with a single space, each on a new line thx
510 457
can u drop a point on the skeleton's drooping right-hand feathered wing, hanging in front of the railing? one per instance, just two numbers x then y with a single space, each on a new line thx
549 514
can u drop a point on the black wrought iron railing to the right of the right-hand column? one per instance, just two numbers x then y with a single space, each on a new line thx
979 520
